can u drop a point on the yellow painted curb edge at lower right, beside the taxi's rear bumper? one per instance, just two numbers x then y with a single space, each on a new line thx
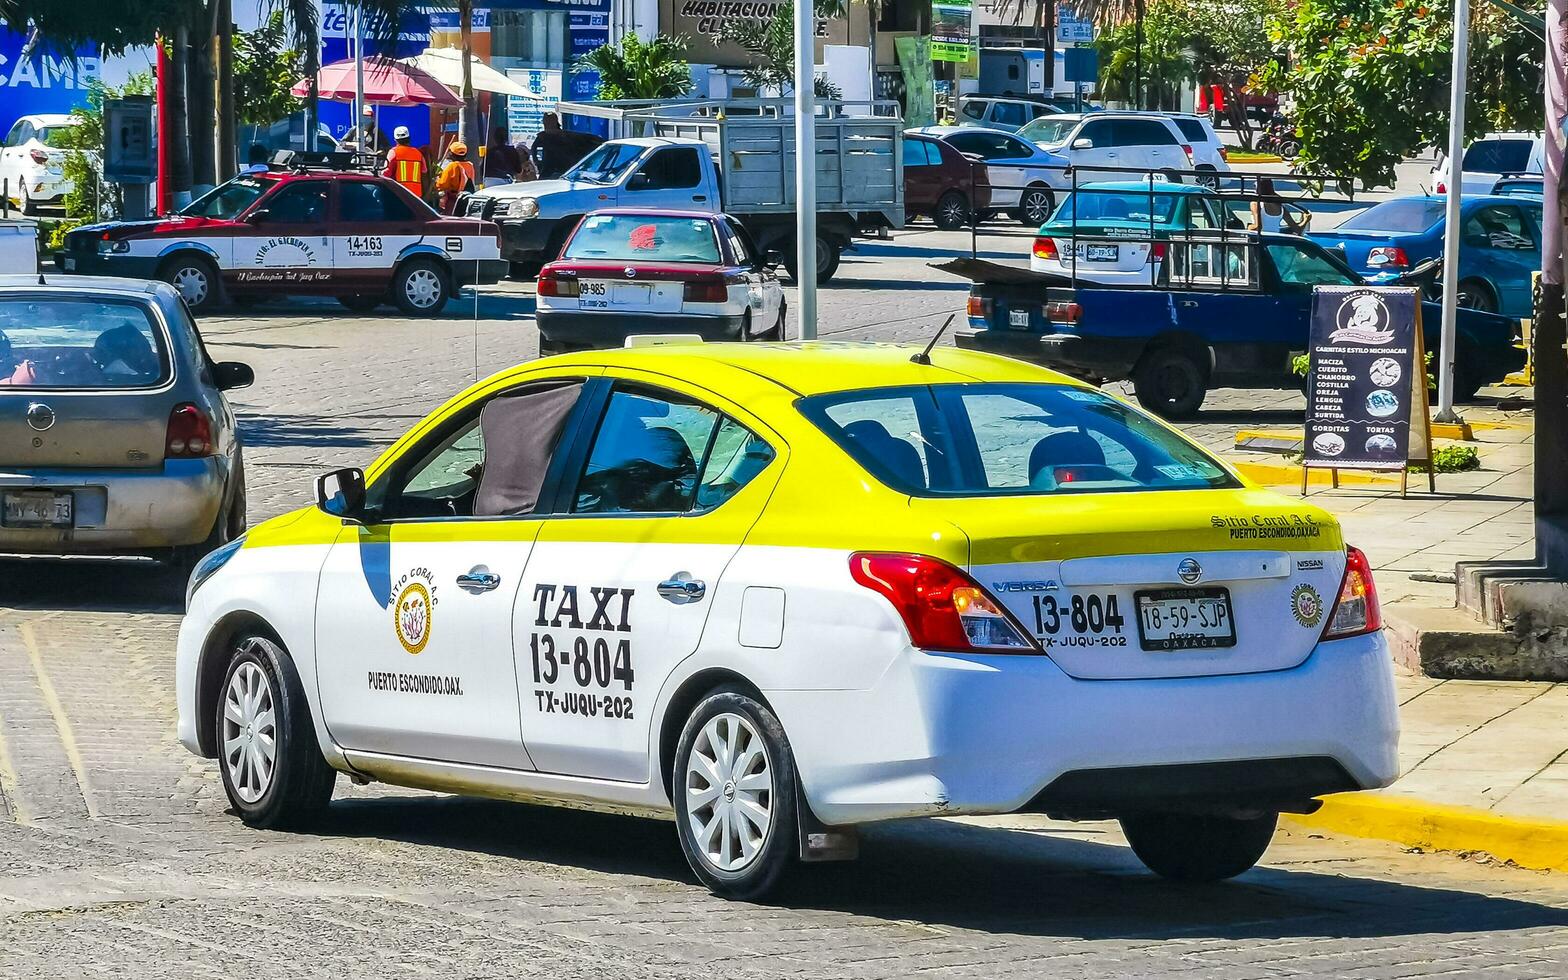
1534 844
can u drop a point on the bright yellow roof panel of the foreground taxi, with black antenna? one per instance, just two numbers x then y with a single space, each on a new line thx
824 366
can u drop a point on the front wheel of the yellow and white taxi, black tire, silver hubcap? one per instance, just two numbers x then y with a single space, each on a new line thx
299 786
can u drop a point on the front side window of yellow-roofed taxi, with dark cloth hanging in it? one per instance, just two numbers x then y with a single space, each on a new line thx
487 465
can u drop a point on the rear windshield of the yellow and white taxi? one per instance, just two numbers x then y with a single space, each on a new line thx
1009 440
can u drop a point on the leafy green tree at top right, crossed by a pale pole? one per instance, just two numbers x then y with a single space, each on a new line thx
1370 81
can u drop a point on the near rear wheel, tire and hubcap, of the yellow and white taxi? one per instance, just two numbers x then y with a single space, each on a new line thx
735 788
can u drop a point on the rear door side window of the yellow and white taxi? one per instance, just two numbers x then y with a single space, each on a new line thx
659 454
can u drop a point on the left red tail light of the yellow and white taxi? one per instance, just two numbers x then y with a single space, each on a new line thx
942 608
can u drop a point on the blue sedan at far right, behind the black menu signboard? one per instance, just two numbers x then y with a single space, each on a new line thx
1500 245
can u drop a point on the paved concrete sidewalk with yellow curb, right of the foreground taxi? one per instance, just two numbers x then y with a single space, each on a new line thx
1484 763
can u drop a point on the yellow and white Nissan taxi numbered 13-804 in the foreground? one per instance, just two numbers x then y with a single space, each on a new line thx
779 592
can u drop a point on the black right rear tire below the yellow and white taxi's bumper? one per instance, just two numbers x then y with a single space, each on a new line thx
1199 848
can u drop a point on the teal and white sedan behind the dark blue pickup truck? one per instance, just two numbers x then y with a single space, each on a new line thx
1117 233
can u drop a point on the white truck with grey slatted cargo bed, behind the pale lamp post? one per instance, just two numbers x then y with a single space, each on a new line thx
860 184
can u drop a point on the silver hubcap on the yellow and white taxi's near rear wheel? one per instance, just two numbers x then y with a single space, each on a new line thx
730 793
